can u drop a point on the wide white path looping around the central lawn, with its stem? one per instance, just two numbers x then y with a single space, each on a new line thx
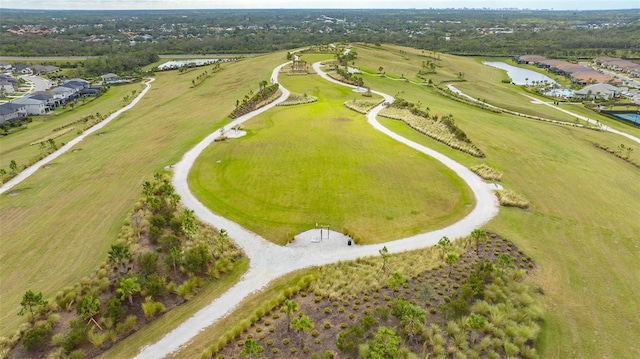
269 261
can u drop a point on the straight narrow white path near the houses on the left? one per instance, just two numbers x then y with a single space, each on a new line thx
33 168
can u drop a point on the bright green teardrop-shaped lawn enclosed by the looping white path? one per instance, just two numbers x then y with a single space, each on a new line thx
322 163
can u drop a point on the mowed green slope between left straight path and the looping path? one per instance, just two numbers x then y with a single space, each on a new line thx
59 226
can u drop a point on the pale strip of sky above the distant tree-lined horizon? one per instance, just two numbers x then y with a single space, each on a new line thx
315 4
